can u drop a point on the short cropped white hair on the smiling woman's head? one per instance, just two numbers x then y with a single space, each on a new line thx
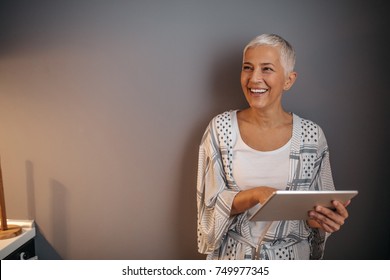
287 52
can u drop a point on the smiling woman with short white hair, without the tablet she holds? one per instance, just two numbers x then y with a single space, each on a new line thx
245 155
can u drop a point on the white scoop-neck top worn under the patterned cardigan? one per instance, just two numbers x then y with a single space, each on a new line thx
253 168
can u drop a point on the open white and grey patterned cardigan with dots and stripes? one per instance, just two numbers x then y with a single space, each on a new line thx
222 236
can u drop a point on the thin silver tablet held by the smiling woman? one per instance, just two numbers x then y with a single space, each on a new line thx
295 205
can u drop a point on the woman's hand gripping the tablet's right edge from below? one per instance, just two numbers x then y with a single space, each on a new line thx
327 219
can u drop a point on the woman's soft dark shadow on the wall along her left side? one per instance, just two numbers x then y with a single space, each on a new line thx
225 94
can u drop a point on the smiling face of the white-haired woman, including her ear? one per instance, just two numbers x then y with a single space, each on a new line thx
263 78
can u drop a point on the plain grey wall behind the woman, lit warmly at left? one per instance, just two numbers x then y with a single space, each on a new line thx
103 104
